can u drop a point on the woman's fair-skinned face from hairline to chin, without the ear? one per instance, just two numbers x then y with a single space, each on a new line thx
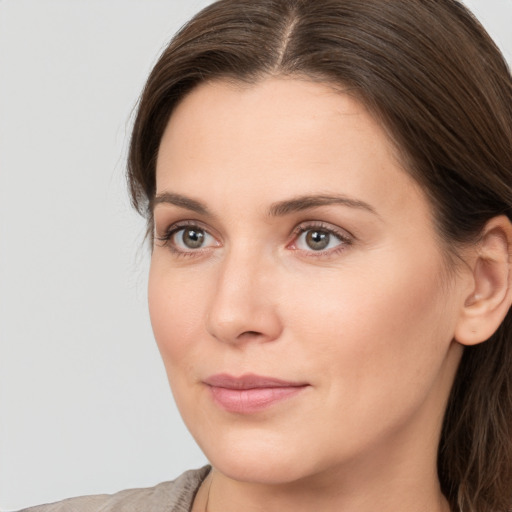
298 292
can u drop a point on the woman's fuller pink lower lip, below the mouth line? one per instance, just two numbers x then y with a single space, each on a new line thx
247 401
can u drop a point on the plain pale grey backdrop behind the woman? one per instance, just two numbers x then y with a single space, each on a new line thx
84 401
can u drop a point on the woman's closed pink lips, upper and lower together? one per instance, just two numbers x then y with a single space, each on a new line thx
250 393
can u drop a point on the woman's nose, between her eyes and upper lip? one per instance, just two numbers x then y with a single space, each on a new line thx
242 307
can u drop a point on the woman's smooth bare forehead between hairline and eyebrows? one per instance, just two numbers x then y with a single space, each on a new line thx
279 136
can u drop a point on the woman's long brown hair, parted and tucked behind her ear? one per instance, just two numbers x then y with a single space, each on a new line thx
433 76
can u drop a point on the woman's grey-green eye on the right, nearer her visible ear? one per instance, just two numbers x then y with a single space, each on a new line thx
319 239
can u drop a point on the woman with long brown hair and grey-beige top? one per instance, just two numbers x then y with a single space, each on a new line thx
328 192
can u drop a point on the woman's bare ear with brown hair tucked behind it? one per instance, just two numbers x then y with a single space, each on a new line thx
490 295
